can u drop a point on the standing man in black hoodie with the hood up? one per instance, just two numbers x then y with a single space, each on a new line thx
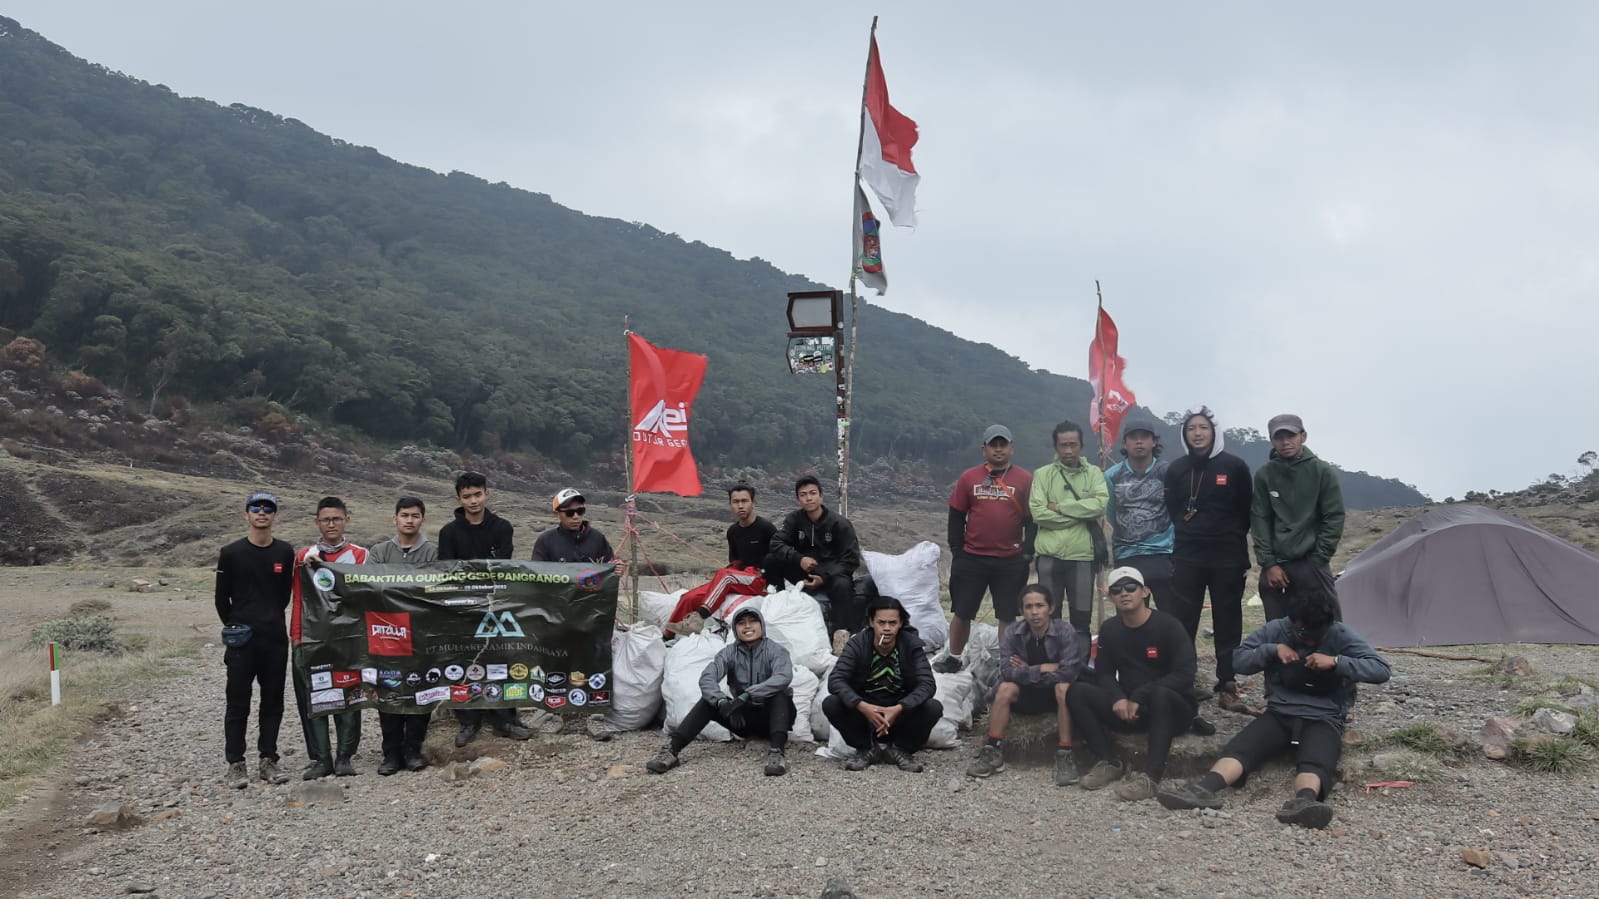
1208 498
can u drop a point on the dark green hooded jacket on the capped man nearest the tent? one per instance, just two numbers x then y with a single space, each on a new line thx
1298 511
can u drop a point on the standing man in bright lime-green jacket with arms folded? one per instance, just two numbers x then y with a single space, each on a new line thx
1067 500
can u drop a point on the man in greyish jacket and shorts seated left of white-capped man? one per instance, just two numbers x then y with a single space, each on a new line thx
1039 663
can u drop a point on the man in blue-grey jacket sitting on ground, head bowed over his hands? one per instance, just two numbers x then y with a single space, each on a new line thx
1310 658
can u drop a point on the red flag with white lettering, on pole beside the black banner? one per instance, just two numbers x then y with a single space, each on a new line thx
664 385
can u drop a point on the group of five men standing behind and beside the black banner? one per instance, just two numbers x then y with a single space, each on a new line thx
258 581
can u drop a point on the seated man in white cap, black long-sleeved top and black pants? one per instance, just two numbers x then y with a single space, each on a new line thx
1144 679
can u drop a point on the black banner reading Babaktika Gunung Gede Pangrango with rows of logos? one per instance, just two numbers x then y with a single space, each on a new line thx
484 634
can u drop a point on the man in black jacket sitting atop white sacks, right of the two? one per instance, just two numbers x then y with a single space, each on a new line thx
818 549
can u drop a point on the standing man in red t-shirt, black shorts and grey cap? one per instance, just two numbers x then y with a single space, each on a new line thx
991 541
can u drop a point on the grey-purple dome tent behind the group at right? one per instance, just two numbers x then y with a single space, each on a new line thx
1472 575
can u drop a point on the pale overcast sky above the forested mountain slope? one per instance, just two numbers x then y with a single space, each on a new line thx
1381 217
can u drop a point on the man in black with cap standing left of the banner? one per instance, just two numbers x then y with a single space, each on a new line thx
253 581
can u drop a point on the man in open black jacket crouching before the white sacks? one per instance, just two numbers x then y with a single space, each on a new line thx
882 690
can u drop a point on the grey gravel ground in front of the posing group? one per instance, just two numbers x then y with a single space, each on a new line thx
570 817
